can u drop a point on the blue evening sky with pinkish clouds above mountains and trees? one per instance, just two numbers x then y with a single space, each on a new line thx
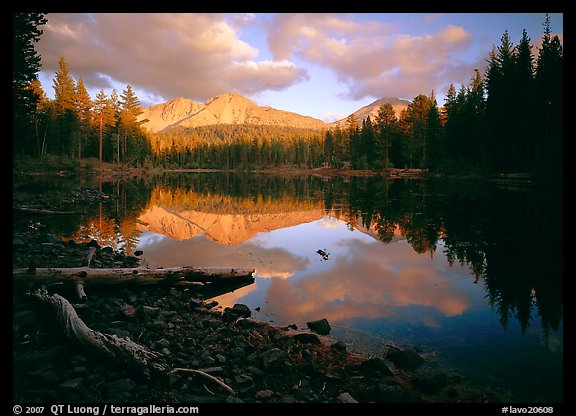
323 65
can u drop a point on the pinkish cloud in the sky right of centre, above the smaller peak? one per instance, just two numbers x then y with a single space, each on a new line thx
372 58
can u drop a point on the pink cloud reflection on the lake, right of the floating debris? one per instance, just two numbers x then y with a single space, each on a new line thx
367 284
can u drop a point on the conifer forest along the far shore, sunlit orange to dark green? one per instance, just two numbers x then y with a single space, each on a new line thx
509 119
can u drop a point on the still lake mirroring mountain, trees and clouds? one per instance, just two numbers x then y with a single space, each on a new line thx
471 273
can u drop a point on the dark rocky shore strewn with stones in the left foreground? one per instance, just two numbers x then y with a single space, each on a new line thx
257 362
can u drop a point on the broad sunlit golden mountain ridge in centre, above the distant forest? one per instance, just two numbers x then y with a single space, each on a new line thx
222 109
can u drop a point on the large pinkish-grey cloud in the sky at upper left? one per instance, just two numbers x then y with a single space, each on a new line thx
169 55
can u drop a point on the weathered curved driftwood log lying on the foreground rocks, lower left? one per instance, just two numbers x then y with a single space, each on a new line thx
119 350
